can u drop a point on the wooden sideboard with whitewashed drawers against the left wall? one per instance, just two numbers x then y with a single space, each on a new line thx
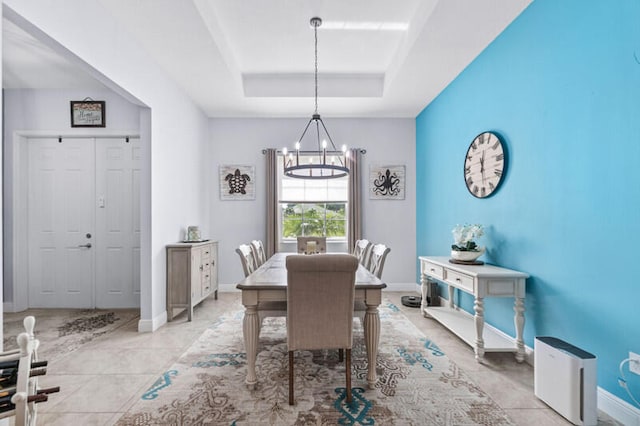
192 275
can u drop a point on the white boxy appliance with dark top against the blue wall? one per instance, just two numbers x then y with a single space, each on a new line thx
565 379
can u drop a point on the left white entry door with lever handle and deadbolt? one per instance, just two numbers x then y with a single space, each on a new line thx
61 222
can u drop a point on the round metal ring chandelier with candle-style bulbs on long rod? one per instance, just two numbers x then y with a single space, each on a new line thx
321 169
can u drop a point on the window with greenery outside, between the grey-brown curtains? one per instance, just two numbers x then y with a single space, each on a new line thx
313 207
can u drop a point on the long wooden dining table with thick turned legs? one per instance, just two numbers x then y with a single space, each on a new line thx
268 285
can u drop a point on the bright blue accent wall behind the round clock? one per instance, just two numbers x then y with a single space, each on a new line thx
561 85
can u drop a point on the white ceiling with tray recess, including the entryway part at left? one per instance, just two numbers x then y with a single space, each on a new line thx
255 58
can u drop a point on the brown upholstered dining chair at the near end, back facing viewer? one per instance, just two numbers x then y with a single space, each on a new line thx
320 298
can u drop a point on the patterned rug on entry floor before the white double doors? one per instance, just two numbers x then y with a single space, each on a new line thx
62 331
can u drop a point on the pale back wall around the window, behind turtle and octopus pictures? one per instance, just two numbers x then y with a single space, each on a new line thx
388 141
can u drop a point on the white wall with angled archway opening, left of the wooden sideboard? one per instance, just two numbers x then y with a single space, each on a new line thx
174 132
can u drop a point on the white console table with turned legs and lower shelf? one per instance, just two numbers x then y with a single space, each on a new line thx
481 281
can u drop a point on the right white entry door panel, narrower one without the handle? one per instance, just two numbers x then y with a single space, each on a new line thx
118 223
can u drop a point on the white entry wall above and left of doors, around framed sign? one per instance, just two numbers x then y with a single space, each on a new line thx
48 112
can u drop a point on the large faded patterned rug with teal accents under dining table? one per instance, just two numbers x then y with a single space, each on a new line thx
417 383
